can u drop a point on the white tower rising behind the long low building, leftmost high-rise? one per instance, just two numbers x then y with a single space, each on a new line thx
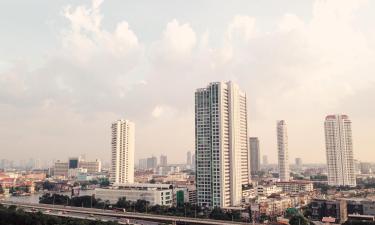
122 158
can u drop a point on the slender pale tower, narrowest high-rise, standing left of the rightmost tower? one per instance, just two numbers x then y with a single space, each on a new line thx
282 147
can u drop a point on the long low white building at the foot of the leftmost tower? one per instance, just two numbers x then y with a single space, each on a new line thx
155 194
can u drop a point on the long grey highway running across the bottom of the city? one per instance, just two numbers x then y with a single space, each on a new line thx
77 211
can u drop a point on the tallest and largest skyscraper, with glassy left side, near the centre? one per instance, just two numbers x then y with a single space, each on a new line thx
221 142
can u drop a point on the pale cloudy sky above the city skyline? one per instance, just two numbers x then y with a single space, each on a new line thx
68 69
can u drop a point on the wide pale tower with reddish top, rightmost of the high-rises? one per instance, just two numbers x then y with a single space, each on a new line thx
339 147
